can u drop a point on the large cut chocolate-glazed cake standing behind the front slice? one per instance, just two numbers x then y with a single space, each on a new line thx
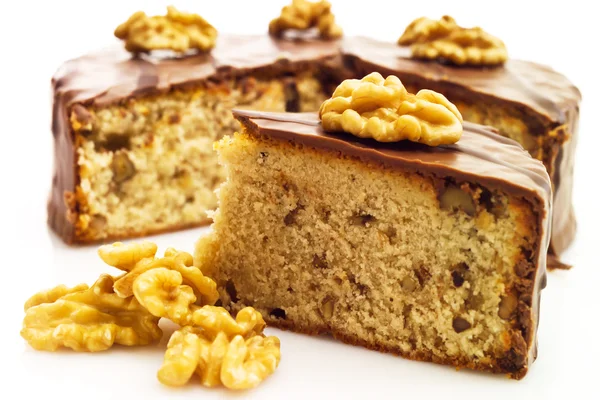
133 134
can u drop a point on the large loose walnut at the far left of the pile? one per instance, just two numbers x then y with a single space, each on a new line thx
90 319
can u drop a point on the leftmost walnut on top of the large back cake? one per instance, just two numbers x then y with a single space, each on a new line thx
177 31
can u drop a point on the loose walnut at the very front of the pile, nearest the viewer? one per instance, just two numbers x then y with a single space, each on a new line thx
233 361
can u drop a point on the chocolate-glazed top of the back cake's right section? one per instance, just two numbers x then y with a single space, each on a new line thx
532 86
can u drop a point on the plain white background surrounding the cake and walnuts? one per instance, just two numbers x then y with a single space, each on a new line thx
38 36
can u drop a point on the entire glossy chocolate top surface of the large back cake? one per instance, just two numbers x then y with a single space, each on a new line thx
112 74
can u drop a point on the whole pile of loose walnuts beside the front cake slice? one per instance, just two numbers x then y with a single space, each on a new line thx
220 349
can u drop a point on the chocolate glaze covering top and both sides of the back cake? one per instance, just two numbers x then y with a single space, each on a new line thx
112 75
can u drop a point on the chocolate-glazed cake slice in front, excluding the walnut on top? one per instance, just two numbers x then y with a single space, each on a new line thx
433 253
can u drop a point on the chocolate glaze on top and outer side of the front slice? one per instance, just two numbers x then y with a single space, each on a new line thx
481 156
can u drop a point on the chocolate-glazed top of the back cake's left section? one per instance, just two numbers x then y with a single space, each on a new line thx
113 74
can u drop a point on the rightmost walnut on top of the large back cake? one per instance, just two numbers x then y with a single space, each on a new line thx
445 40
